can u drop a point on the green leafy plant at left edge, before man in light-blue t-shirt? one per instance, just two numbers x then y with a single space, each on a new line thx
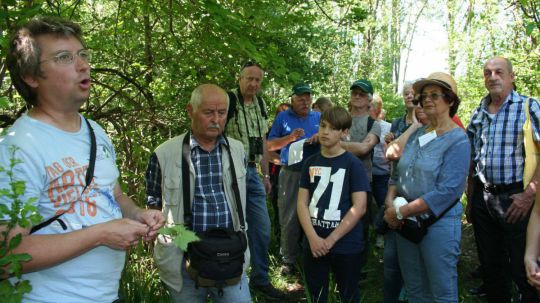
20 214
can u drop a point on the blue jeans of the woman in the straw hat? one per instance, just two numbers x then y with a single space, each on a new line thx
430 268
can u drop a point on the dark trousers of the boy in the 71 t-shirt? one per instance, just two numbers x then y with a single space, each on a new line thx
346 269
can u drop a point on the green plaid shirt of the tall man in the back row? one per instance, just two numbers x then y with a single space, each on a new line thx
257 125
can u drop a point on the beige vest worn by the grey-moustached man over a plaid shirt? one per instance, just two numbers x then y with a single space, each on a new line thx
168 258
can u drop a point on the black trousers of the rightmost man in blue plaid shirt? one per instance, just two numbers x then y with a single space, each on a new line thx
501 247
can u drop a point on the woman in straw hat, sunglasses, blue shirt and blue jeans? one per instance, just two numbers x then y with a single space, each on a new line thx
430 175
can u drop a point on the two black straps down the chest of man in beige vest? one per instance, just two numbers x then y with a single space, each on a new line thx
186 154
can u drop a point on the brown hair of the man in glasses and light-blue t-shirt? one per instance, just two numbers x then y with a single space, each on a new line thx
24 51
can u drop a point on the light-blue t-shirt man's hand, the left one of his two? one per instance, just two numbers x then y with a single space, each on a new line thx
122 233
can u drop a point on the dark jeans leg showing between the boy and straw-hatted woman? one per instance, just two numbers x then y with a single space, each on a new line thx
392 272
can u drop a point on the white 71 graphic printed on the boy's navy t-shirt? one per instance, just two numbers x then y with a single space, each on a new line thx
331 215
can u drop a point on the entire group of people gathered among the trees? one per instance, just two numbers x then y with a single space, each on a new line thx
330 173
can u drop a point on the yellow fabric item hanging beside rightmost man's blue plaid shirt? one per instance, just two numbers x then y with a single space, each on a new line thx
532 155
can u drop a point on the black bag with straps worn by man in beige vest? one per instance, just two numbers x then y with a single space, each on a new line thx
216 260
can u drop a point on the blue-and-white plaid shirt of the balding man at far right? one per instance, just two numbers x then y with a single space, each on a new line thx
497 140
